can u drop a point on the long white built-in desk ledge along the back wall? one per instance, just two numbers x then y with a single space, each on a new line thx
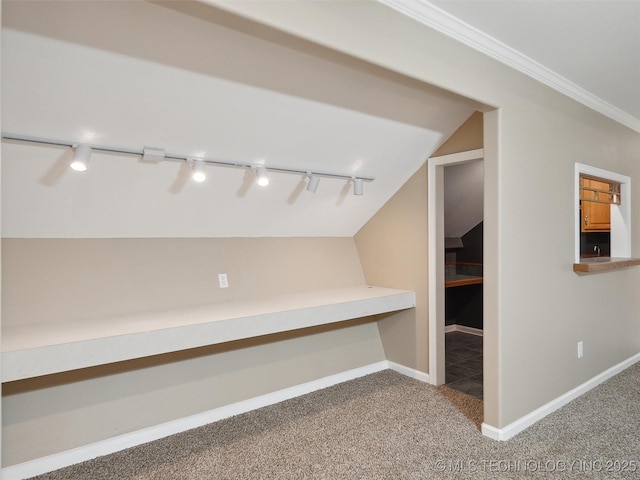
46 348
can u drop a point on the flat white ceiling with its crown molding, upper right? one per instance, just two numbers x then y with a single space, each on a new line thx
587 49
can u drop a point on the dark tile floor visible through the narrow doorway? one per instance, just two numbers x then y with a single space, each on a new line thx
463 358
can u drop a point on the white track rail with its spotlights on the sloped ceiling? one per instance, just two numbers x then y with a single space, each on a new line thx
153 155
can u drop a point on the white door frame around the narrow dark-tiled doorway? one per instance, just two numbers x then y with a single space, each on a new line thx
435 169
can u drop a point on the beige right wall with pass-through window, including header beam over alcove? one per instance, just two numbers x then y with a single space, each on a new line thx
542 308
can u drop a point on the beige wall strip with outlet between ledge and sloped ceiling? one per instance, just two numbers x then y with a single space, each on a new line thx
49 280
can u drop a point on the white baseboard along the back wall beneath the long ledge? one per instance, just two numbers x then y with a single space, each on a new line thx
121 442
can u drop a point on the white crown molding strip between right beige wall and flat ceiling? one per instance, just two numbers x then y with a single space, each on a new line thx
445 23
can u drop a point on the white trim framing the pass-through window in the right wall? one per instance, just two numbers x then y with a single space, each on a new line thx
620 214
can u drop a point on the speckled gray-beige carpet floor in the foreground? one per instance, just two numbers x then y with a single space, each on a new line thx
387 426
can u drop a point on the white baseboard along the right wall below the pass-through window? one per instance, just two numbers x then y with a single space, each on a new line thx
521 424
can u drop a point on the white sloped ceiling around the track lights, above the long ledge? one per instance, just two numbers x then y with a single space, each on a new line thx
191 79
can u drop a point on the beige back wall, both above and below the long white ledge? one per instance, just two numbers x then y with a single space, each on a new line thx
54 280
